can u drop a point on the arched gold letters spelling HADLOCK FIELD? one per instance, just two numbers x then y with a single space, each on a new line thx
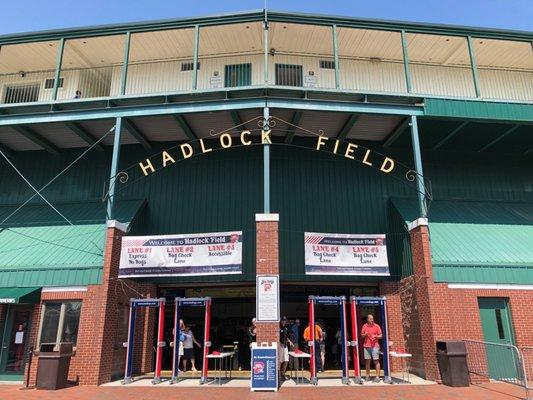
225 141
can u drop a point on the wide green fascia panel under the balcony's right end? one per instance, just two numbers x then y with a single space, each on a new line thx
480 110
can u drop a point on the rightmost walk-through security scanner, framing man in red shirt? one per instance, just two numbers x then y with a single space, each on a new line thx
370 301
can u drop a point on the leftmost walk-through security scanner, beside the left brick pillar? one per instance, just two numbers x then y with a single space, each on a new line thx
134 305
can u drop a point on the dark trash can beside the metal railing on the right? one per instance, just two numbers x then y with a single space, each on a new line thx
453 367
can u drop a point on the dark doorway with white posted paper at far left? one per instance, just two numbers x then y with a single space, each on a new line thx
14 342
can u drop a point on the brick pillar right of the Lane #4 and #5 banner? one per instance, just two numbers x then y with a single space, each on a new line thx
424 307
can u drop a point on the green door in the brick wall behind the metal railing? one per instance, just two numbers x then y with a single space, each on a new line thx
497 328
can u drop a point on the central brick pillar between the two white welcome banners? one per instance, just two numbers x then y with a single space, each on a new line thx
267 262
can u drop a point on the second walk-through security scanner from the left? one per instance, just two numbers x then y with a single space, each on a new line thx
190 302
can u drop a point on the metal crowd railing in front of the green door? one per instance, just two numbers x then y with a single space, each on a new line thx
497 361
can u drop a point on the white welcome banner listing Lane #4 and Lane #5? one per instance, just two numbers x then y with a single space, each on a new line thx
342 254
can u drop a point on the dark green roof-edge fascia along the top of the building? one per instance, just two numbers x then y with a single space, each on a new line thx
274 16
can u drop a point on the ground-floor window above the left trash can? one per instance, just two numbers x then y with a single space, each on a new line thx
59 322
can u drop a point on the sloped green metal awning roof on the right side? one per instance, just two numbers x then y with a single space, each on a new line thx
481 242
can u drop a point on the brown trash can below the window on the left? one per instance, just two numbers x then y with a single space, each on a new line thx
53 365
